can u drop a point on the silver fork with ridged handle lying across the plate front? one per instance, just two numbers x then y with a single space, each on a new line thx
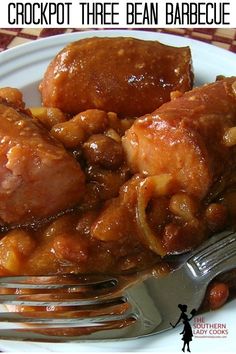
73 307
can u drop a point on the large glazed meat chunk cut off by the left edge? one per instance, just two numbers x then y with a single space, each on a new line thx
38 178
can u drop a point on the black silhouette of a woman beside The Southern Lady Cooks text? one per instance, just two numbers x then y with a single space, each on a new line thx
187 330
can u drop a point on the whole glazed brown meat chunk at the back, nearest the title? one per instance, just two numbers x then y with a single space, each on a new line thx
124 75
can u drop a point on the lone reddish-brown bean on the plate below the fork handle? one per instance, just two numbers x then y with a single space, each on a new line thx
217 295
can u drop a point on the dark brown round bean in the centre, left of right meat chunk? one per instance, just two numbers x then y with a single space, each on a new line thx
103 151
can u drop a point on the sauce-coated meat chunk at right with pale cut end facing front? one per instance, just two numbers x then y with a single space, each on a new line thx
184 137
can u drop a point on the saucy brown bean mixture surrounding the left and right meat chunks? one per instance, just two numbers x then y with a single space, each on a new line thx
123 222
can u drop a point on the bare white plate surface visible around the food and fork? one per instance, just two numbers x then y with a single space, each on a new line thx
23 67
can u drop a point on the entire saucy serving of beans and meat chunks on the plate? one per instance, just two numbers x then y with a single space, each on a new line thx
88 190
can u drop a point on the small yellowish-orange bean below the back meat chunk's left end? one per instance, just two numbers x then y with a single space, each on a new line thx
48 116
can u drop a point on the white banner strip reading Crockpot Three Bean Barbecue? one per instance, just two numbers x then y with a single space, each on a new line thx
118 14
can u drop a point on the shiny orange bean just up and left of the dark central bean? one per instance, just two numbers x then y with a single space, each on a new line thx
70 133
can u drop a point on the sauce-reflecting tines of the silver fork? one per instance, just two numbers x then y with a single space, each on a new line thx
70 304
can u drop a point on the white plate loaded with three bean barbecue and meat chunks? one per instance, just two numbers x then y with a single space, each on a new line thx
117 158
